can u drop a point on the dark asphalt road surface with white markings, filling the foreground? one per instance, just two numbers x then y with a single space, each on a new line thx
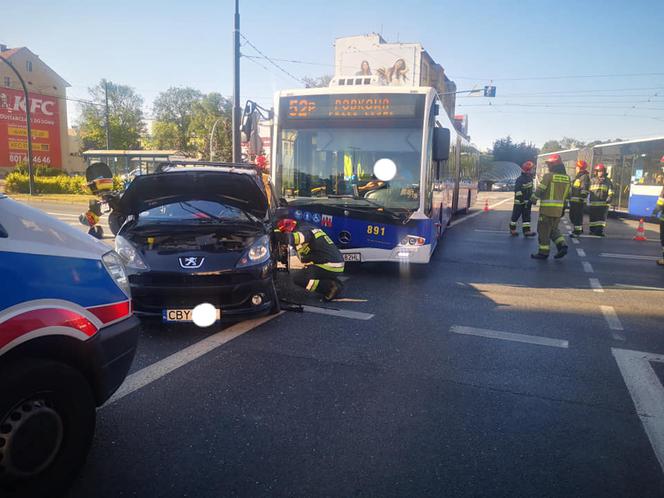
484 373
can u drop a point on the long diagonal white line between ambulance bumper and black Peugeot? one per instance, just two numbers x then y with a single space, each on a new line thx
163 367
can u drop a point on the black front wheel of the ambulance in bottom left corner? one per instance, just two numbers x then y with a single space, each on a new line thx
50 407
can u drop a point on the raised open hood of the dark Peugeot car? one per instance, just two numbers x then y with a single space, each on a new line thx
240 190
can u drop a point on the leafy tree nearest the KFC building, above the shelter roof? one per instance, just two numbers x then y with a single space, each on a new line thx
125 117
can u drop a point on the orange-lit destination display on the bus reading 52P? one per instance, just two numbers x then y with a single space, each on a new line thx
369 106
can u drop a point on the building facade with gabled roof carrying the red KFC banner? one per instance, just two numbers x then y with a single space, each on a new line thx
48 113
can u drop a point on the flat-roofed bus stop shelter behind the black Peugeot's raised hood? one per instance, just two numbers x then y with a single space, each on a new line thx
135 162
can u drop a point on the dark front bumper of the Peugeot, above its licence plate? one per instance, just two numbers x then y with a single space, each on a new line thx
230 291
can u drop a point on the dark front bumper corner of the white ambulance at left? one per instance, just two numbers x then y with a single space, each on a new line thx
109 354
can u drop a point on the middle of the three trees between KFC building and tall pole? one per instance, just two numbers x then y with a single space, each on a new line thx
174 111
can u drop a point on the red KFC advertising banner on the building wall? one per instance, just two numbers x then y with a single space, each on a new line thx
45 121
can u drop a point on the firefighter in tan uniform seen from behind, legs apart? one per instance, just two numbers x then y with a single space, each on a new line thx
552 191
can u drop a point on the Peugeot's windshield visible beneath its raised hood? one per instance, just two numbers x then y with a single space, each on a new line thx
193 211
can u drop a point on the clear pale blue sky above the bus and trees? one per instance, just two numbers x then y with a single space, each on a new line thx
151 45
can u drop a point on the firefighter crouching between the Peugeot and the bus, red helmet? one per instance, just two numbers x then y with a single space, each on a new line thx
322 259
